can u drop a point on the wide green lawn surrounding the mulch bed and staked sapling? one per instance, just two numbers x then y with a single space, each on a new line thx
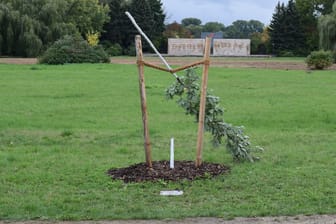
63 127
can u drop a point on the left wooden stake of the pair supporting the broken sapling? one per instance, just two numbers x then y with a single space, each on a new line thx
142 87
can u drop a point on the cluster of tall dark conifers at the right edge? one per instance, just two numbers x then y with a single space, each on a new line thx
295 29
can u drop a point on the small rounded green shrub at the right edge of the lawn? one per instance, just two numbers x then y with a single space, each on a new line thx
319 59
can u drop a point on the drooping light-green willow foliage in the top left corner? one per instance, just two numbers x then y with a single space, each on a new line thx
29 27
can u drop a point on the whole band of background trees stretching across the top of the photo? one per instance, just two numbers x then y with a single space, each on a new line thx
29 27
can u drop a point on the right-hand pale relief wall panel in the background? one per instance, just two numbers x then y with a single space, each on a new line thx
231 47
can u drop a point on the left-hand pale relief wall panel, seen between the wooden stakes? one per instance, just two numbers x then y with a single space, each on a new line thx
185 47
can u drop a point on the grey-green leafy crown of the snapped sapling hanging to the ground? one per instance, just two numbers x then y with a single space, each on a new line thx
237 142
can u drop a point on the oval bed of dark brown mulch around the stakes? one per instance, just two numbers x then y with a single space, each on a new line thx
183 170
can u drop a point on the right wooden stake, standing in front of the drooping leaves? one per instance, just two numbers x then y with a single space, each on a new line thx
203 102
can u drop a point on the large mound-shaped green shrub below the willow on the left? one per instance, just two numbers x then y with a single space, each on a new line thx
73 49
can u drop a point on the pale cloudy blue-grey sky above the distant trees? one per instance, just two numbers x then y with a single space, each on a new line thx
223 11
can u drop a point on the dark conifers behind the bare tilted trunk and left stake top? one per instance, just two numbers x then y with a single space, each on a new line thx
148 14
